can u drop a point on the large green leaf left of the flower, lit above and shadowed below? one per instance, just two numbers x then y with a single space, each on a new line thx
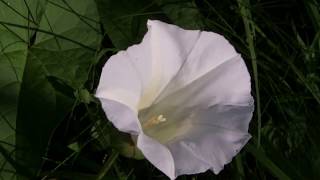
41 106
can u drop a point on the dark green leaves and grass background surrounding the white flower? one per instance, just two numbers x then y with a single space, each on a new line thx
52 52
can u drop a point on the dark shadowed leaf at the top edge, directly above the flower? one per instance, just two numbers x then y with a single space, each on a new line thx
126 21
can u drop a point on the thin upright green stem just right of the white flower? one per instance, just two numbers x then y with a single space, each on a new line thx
250 33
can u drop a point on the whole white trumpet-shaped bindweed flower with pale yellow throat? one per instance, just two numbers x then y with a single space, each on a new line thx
183 95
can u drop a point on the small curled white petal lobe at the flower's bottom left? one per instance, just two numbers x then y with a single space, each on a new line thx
157 154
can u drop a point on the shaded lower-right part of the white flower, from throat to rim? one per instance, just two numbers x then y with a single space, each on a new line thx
206 139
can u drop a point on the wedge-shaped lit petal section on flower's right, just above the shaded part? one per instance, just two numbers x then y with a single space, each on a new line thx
227 84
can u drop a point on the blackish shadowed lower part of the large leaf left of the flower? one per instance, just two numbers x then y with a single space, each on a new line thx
41 108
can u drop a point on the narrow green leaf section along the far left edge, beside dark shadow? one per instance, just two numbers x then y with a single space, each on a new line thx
11 68
